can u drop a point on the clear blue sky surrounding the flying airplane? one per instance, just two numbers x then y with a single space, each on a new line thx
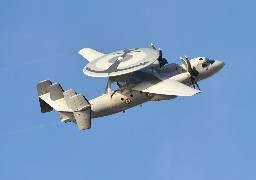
207 136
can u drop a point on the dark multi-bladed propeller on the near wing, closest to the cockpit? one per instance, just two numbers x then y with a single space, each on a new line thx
192 71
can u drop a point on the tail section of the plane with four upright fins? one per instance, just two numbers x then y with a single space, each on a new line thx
72 107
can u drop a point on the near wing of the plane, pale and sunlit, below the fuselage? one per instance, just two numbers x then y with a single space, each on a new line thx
167 87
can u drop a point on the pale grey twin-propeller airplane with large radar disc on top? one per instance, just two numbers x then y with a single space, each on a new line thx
141 74
